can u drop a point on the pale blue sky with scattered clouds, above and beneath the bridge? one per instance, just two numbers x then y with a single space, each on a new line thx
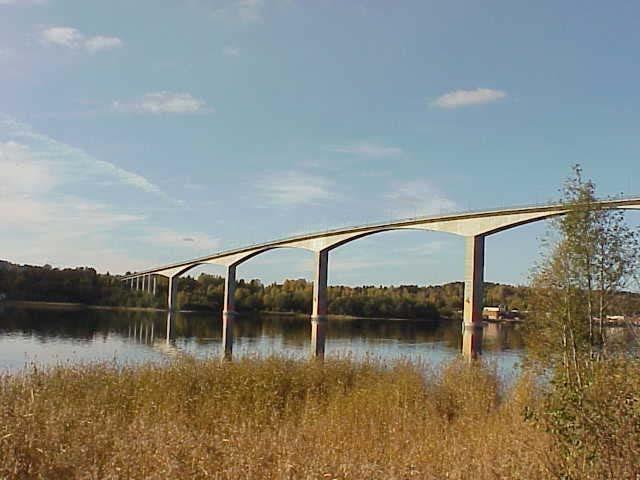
134 134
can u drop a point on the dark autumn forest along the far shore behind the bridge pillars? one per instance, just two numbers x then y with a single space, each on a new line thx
85 285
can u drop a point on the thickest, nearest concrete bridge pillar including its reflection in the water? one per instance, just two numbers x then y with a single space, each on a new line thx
473 293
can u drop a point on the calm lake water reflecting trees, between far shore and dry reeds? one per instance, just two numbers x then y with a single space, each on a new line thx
62 336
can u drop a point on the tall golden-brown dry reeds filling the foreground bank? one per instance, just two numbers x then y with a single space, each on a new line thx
269 419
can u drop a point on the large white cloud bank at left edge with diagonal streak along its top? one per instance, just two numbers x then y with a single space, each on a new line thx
51 214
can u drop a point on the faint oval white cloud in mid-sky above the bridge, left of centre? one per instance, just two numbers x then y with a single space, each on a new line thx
296 188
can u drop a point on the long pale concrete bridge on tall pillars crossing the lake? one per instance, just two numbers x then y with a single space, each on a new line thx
473 226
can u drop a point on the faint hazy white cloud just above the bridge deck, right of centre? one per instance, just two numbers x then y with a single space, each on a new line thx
417 198
